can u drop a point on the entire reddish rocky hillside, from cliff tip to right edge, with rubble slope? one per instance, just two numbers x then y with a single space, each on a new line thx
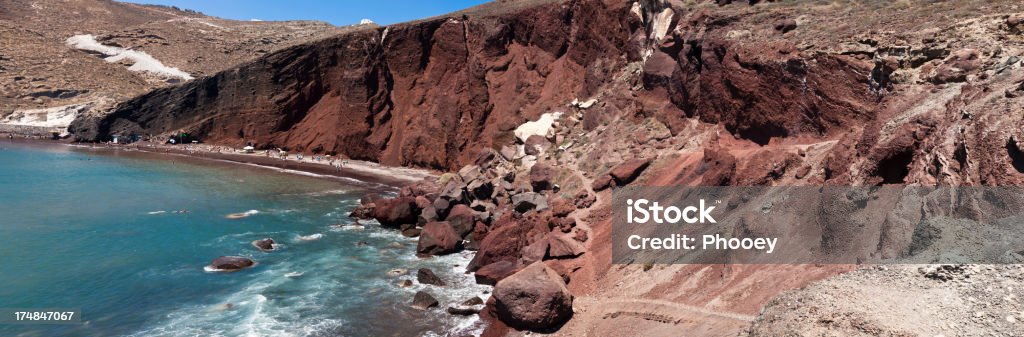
559 103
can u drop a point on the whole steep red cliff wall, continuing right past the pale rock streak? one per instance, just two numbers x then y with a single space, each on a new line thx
432 93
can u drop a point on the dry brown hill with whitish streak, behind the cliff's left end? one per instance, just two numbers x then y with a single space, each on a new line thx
39 68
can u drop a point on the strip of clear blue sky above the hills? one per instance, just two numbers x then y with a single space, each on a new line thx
339 13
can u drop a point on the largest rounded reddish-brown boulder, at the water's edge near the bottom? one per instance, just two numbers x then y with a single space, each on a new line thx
535 299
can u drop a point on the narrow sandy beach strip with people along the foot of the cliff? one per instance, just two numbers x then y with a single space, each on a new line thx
361 172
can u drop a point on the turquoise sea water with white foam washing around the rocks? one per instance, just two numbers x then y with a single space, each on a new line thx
84 230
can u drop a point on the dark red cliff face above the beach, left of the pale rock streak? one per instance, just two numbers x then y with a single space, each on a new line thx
430 94
